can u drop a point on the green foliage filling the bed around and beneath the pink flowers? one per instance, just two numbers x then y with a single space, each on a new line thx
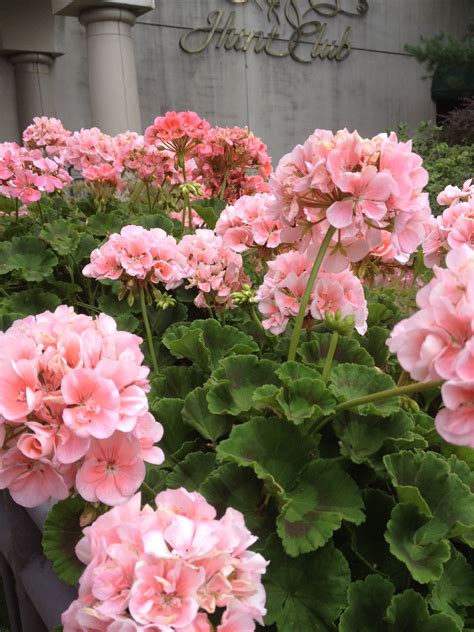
366 517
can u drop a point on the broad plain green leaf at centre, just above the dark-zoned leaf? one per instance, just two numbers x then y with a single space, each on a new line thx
273 448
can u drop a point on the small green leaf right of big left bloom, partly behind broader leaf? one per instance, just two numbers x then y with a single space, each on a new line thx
196 414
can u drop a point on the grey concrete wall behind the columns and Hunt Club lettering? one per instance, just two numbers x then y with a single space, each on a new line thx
376 87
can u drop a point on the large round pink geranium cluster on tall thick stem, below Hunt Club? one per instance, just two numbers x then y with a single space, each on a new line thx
356 186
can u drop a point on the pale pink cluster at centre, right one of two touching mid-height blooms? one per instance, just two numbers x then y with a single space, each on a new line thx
216 271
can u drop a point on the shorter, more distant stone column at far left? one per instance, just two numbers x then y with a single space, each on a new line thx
34 89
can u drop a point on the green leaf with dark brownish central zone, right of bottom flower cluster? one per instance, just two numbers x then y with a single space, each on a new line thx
323 497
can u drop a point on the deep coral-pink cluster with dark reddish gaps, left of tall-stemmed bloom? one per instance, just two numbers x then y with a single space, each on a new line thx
232 162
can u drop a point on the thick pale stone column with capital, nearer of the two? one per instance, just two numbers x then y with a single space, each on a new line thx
112 71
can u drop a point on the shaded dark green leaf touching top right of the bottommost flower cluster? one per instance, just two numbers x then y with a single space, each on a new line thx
237 487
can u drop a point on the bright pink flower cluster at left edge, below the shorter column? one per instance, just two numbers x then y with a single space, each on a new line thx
27 174
